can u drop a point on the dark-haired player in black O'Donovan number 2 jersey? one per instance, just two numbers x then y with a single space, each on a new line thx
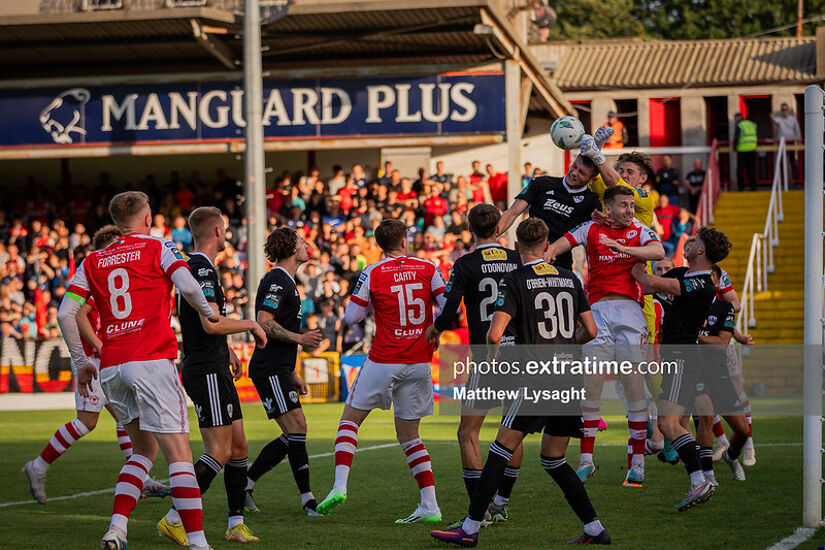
474 279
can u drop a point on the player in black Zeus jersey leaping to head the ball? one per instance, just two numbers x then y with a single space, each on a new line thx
562 203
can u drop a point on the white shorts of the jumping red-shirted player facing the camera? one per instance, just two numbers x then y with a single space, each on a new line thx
622 332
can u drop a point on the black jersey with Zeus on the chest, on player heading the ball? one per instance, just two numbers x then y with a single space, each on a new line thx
560 207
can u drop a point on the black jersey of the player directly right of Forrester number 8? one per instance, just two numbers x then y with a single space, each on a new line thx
202 353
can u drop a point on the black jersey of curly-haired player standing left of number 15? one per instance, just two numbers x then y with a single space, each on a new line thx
277 295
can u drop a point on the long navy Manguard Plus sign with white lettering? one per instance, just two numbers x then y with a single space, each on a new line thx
214 111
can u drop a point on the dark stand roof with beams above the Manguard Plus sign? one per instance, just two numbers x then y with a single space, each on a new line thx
316 38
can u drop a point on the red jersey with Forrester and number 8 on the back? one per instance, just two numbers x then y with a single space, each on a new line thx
131 283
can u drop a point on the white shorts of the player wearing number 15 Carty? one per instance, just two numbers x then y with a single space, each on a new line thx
408 388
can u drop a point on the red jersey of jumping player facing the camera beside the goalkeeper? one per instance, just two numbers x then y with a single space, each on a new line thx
609 270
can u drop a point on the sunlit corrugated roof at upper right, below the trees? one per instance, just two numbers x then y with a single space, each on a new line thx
610 64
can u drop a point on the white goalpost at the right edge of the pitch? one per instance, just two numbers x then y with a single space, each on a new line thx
812 420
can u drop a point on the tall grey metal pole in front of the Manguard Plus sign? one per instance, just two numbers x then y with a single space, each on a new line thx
254 183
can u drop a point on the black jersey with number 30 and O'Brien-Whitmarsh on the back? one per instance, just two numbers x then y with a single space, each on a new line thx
544 302
